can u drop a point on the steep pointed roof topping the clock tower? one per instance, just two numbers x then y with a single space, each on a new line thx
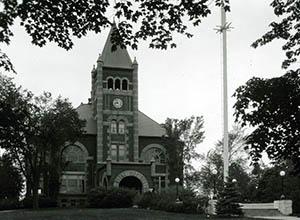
118 58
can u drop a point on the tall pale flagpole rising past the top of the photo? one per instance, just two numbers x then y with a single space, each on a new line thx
225 95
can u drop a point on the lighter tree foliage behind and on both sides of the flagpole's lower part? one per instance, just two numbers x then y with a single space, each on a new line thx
238 165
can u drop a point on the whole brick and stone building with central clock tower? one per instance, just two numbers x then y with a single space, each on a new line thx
122 147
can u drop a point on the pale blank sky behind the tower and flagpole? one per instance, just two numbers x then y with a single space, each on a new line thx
175 83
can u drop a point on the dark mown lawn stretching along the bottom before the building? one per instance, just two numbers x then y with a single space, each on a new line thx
97 214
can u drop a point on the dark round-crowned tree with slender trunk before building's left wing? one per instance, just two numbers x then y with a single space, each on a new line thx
59 124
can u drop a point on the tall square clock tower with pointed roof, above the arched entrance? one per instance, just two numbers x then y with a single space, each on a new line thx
115 105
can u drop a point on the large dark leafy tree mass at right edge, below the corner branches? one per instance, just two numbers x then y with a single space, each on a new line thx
271 108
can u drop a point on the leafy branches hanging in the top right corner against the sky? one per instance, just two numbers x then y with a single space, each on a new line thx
287 29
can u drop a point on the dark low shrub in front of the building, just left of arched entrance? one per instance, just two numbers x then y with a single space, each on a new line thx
111 198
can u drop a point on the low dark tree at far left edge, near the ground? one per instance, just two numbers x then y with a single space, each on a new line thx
11 183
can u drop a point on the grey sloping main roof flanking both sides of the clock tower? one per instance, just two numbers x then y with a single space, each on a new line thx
147 126
